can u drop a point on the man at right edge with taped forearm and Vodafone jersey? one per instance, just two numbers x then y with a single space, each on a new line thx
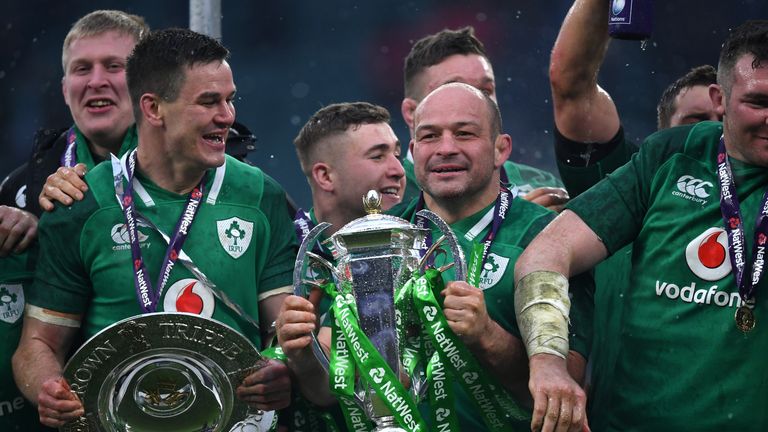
696 306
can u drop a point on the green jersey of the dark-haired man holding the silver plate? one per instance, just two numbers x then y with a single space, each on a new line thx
241 239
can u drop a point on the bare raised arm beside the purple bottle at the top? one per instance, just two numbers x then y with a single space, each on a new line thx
584 112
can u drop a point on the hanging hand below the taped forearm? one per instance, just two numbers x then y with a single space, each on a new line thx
558 401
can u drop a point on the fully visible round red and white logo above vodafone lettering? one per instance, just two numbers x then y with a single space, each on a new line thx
707 255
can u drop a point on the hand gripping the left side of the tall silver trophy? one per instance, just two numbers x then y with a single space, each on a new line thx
294 325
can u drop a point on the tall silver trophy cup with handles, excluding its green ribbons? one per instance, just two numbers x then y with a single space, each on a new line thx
375 255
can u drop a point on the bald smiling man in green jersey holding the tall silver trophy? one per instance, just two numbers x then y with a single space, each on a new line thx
458 151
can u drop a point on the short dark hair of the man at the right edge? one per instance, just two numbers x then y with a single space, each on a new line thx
748 38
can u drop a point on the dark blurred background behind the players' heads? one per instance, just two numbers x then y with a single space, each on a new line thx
291 58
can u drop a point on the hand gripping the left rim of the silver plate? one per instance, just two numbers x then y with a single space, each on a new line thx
57 404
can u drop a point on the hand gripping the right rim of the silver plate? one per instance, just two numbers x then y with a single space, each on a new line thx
267 389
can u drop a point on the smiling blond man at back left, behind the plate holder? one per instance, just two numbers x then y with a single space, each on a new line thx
93 57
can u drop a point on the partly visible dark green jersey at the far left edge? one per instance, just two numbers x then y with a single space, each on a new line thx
16 271
